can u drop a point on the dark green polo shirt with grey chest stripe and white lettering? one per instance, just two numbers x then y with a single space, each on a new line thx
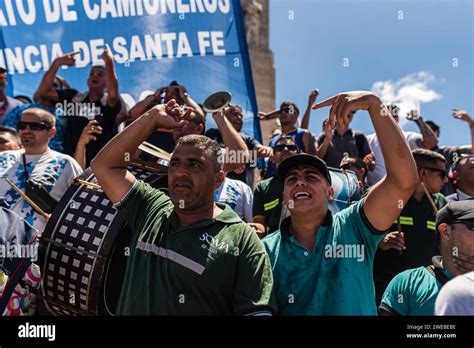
211 267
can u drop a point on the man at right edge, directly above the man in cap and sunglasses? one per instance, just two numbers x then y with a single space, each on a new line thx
463 176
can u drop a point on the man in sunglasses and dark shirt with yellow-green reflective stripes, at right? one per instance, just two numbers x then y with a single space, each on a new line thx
416 242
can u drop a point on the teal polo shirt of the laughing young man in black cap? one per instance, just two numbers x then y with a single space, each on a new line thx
335 278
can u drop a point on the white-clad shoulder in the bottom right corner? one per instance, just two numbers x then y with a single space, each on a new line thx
456 296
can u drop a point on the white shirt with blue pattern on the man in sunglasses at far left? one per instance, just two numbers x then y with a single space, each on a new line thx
54 170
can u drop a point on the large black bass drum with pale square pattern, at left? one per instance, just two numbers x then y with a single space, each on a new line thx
83 250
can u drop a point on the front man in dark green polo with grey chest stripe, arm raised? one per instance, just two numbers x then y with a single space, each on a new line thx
189 255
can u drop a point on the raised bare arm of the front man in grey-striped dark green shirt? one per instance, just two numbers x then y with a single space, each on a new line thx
110 164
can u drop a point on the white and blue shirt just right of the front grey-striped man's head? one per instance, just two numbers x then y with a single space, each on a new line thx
238 195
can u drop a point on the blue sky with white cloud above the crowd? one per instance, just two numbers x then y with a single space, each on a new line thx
407 51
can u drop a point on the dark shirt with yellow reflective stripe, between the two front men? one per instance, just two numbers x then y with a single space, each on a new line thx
267 198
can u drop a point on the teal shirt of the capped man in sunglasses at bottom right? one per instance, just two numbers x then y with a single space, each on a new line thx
413 292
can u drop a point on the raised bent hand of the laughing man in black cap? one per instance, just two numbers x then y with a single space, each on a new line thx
344 103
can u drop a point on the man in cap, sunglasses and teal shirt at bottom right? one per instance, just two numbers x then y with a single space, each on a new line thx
414 292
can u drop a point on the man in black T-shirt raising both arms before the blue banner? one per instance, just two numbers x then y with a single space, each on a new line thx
80 108
